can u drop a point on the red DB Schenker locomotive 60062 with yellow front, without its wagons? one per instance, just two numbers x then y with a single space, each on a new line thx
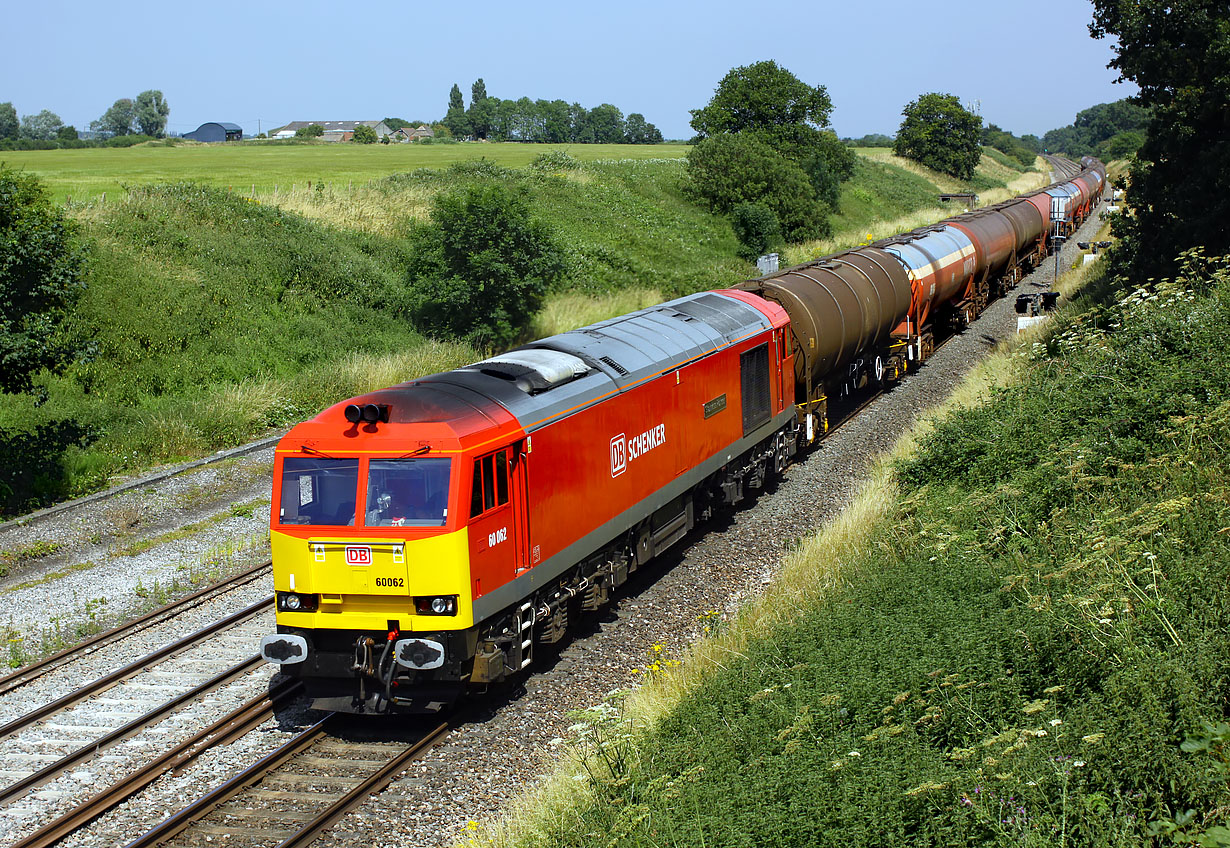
426 537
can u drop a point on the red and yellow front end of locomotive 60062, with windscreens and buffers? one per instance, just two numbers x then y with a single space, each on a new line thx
371 557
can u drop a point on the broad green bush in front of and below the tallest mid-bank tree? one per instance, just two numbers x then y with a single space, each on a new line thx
728 170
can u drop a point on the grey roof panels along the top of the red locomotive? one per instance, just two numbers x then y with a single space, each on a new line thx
561 375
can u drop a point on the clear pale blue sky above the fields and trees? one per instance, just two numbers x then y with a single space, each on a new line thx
1029 68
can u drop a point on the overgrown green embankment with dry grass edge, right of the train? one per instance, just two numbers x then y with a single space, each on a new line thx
1007 639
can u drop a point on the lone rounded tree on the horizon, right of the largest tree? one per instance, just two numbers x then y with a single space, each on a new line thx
938 132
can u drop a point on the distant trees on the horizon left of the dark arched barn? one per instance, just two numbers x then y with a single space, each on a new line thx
141 119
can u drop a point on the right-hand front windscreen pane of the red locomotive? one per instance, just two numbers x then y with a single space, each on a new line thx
408 493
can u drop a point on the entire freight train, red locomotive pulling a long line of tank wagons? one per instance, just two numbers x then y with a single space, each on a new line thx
429 536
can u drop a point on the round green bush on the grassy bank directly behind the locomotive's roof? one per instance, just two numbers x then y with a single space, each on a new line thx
483 268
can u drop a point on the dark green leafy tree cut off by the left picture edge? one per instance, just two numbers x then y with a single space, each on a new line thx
42 273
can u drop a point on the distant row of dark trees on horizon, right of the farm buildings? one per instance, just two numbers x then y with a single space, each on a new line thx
543 121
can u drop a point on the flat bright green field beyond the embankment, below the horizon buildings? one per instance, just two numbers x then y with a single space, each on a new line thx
84 175
